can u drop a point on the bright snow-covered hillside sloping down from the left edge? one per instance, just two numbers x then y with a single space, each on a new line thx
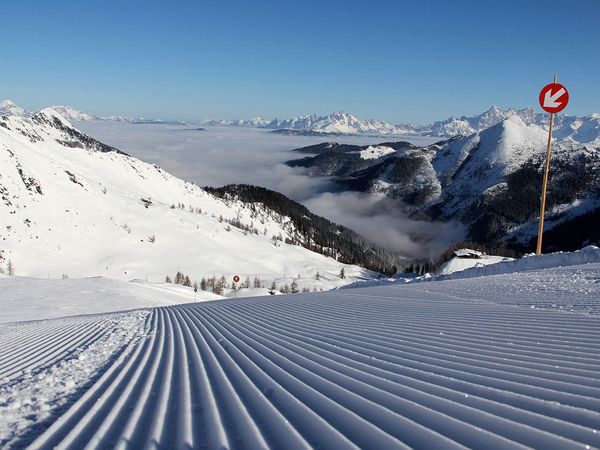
72 206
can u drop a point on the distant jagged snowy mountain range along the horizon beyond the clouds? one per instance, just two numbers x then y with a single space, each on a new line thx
581 129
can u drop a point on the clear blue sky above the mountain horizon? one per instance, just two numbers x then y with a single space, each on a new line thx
401 61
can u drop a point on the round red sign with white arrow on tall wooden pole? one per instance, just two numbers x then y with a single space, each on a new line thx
553 99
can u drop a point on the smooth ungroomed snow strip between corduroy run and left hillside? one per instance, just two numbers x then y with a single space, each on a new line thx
25 298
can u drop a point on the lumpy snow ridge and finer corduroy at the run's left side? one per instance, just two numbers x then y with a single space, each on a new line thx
45 364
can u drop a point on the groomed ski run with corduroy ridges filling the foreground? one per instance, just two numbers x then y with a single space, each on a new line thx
444 364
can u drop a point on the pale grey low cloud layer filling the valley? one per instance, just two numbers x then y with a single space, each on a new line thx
220 156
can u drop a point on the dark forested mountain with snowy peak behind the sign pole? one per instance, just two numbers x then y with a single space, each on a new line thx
489 180
